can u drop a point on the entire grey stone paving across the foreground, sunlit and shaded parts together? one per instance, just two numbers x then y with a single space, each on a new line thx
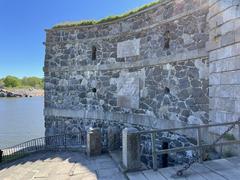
75 165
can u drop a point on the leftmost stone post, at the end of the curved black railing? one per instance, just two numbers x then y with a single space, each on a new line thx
94 146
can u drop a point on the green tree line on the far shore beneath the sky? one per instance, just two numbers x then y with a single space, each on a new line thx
26 82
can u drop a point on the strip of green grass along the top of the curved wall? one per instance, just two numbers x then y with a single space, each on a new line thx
106 19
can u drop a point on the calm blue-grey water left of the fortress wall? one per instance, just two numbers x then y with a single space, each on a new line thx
21 119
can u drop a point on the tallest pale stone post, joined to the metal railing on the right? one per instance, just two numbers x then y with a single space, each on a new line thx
131 149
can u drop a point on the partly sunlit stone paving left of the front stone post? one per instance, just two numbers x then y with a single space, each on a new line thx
61 166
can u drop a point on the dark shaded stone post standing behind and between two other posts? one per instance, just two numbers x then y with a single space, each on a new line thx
113 138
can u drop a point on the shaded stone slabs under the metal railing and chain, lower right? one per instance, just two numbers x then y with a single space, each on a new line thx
220 169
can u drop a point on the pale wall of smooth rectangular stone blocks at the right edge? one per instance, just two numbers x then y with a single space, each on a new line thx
224 58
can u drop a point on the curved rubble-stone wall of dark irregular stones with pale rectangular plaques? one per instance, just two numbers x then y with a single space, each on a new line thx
151 69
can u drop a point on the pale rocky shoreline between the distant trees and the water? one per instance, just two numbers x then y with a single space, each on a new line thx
24 92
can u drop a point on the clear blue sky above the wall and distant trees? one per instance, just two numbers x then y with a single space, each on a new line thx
22 24
